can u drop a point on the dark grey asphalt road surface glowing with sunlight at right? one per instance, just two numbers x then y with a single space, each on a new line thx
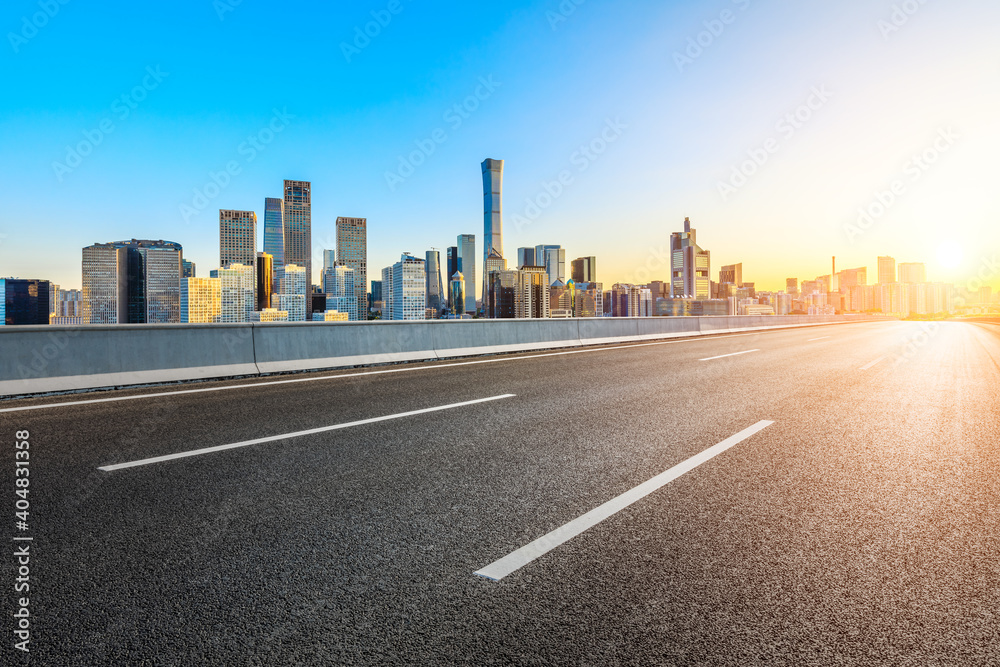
860 527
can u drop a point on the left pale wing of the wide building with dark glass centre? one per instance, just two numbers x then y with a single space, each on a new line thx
105 284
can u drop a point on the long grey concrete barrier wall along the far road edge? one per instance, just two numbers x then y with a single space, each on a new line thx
46 359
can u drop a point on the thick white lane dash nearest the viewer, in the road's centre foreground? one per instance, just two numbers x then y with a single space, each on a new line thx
499 569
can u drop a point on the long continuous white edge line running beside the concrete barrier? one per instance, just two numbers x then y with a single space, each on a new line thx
381 372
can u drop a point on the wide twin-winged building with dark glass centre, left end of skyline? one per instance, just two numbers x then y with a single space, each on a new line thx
134 282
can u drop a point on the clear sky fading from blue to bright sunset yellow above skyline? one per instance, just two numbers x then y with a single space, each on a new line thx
676 117
